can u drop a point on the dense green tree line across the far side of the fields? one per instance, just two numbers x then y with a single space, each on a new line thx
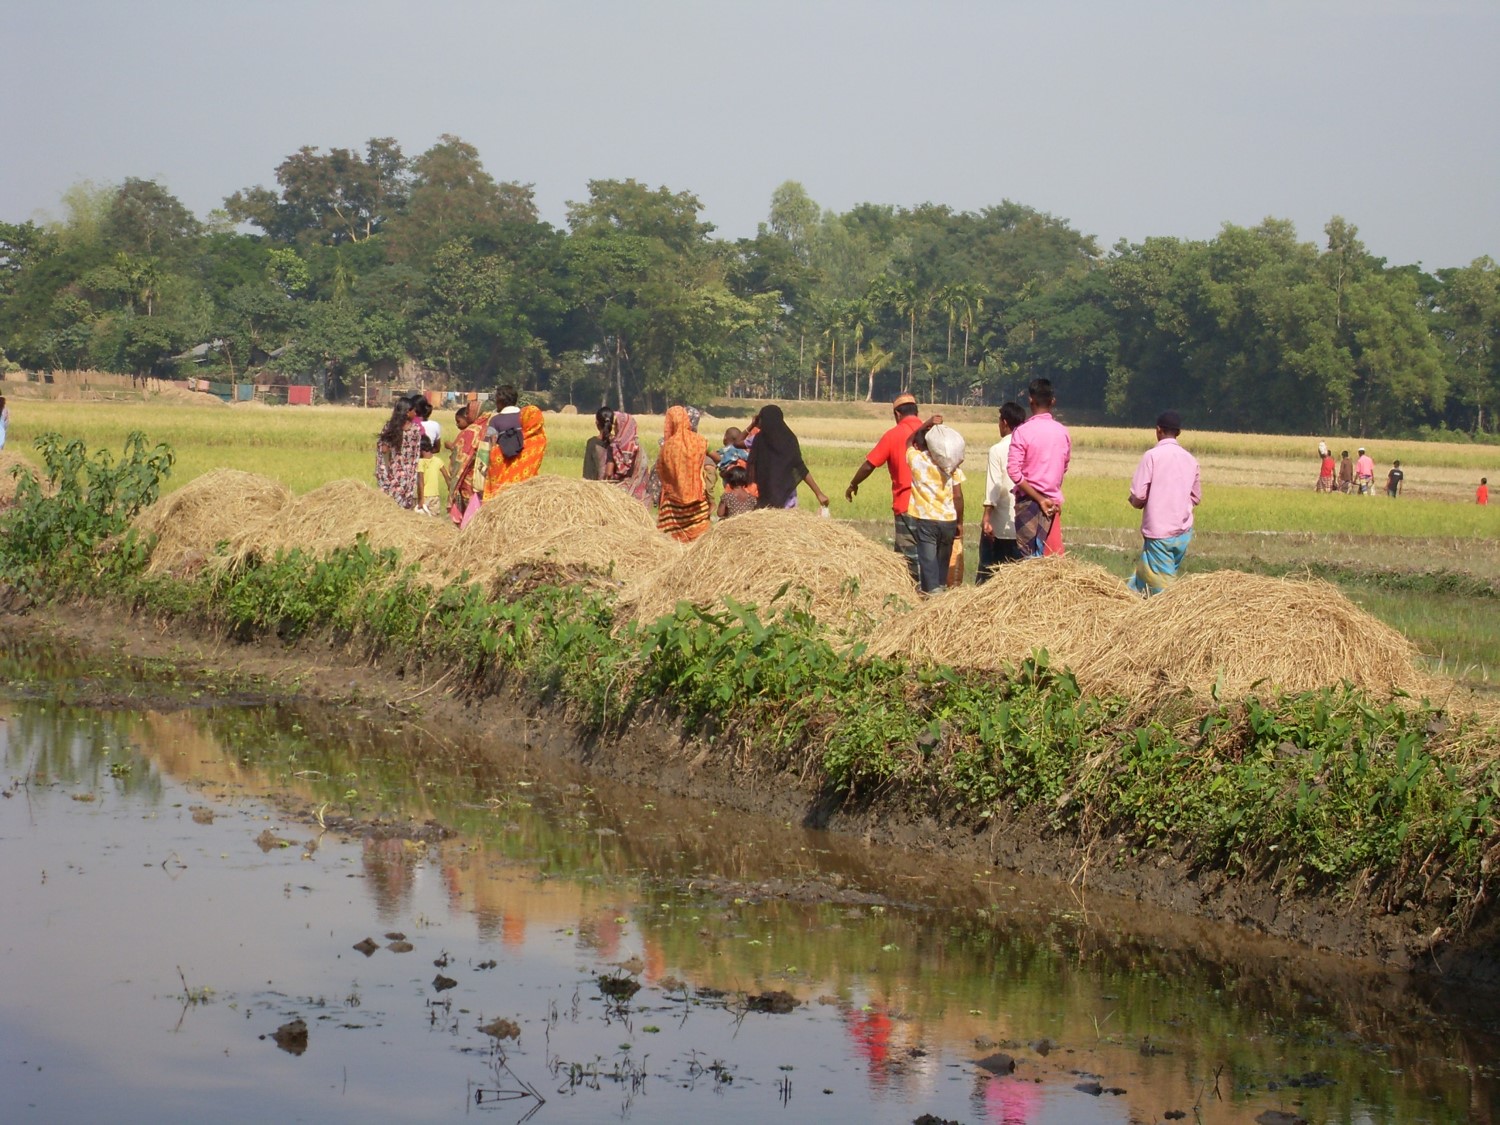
374 262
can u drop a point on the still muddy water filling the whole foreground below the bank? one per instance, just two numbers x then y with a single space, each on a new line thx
223 908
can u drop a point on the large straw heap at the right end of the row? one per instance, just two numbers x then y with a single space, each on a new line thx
1241 631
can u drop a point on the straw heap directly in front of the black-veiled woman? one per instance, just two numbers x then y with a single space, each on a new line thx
751 557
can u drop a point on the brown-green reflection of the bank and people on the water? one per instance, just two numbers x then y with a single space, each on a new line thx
920 968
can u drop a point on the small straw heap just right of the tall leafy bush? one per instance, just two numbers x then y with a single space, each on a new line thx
211 509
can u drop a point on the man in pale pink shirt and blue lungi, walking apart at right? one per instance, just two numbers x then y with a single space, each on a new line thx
1166 488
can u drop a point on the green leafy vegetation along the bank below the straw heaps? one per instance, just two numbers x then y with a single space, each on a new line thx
1322 791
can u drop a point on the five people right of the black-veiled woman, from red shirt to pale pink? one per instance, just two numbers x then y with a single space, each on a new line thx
1024 494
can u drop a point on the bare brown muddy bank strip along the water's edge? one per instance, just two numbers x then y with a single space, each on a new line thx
1153 895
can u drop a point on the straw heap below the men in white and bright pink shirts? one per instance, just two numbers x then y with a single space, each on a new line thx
1072 610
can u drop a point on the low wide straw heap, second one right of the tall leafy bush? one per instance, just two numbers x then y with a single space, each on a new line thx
335 517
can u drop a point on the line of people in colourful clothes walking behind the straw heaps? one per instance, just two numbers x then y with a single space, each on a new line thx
763 467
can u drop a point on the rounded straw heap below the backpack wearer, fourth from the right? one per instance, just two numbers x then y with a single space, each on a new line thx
583 527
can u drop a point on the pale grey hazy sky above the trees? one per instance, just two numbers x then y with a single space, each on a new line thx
1124 119
